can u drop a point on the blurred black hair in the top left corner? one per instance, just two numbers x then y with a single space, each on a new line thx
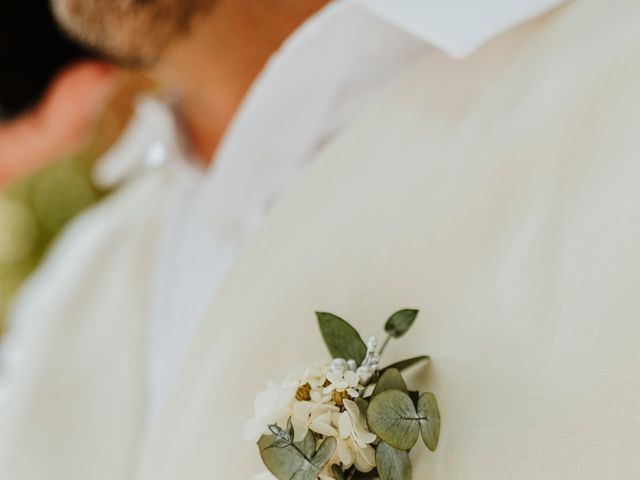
32 51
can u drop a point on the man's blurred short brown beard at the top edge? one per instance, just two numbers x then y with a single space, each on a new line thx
132 33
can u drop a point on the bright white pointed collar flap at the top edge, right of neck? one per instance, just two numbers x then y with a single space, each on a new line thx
458 27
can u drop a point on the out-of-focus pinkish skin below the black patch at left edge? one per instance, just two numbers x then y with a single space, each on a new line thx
60 124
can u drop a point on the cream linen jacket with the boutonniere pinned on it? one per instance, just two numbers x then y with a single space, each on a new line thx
498 194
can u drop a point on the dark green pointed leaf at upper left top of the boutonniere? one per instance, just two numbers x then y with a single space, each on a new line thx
343 341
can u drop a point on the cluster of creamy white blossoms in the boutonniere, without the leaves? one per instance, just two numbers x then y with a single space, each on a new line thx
320 400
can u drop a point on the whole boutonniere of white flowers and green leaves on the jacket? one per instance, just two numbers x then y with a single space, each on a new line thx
345 418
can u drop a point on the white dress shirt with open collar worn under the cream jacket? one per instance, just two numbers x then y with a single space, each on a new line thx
325 74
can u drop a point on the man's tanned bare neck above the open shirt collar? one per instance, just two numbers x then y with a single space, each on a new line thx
212 68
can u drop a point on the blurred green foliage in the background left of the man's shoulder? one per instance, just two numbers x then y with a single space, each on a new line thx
35 209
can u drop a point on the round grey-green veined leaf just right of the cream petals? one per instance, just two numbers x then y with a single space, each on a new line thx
393 417
